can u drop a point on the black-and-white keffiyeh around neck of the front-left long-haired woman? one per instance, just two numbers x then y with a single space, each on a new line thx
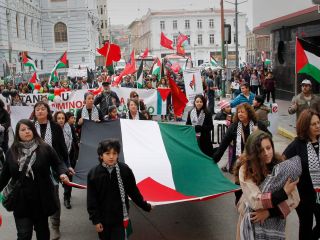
27 149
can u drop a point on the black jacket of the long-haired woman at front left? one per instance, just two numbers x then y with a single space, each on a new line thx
37 196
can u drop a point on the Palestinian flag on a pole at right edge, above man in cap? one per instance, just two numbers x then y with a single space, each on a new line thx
307 59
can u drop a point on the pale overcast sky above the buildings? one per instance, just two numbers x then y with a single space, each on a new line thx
125 11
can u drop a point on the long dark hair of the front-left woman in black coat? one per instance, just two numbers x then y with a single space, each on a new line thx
16 141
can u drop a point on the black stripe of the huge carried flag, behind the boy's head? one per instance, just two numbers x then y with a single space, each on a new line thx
91 134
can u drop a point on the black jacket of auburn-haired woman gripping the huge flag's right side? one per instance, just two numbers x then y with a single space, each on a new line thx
231 135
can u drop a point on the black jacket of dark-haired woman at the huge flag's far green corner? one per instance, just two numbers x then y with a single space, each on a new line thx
205 143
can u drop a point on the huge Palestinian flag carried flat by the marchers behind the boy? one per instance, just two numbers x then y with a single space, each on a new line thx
168 165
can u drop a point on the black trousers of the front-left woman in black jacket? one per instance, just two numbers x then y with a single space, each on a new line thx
25 228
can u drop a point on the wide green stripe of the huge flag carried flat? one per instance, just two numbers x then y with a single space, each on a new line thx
190 165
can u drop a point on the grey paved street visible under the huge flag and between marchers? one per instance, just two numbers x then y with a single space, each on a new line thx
213 219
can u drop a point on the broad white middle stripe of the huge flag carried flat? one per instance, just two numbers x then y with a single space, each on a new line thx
144 151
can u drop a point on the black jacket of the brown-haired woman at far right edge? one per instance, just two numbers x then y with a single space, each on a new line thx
305 186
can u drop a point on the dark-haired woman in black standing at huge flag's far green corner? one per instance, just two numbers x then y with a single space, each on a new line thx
200 118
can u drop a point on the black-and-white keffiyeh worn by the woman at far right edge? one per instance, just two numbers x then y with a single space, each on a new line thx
314 167
